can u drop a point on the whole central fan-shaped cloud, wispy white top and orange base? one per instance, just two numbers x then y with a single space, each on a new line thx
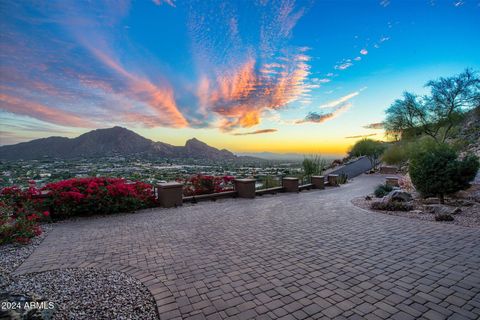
239 80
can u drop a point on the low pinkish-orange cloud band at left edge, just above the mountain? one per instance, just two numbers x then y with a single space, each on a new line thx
42 112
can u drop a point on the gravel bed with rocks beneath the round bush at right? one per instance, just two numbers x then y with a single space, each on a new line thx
468 217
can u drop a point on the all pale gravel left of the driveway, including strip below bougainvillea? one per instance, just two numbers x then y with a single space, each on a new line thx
76 293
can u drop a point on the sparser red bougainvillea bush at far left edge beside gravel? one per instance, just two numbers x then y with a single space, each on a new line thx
20 213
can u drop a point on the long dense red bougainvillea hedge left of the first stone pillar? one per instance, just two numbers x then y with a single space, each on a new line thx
89 196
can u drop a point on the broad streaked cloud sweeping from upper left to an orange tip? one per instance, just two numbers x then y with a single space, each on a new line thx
111 92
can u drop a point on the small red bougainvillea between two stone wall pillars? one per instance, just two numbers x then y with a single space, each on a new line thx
204 184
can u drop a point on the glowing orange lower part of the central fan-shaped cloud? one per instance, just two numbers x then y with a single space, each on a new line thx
241 96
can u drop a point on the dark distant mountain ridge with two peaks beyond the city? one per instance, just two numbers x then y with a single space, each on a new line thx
108 142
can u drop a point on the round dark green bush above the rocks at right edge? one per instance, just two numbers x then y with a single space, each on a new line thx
437 171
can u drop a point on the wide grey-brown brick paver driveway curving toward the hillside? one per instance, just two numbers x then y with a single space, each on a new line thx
290 256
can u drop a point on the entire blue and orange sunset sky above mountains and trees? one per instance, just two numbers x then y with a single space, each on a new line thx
249 76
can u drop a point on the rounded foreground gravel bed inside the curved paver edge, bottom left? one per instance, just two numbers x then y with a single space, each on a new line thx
89 294
